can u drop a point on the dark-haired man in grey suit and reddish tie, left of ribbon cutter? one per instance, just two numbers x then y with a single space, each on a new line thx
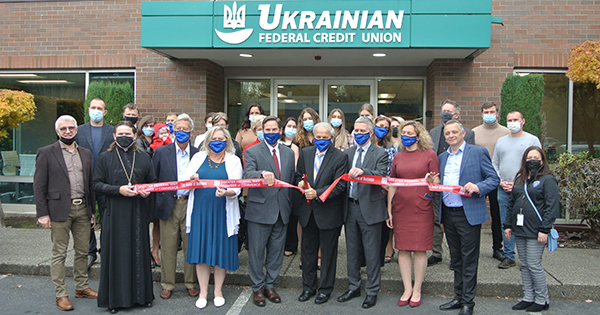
268 210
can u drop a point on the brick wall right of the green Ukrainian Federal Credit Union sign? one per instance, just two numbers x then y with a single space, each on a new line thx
536 34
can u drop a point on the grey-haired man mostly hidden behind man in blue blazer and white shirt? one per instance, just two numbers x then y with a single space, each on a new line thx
450 110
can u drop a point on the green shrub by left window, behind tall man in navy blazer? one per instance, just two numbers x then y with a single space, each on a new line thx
115 95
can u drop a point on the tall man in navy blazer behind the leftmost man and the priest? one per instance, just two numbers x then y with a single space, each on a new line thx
95 136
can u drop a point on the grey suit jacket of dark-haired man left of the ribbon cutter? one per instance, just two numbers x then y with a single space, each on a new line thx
265 205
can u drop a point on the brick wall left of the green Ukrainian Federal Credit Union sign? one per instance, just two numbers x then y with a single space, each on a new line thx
106 34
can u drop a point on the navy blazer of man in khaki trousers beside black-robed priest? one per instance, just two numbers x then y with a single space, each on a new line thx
165 166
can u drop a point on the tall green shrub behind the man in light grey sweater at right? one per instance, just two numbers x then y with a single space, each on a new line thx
524 93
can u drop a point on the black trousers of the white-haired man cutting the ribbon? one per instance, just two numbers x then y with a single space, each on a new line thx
312 238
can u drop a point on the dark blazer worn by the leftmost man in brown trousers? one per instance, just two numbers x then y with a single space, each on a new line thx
51 185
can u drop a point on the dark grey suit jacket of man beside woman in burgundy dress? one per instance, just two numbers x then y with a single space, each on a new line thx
371 200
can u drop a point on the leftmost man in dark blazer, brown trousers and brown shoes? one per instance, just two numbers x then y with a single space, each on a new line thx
64 200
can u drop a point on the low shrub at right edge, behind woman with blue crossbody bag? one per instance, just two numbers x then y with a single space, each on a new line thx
578 178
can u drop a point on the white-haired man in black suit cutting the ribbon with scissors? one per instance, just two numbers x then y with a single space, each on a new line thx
321 221
